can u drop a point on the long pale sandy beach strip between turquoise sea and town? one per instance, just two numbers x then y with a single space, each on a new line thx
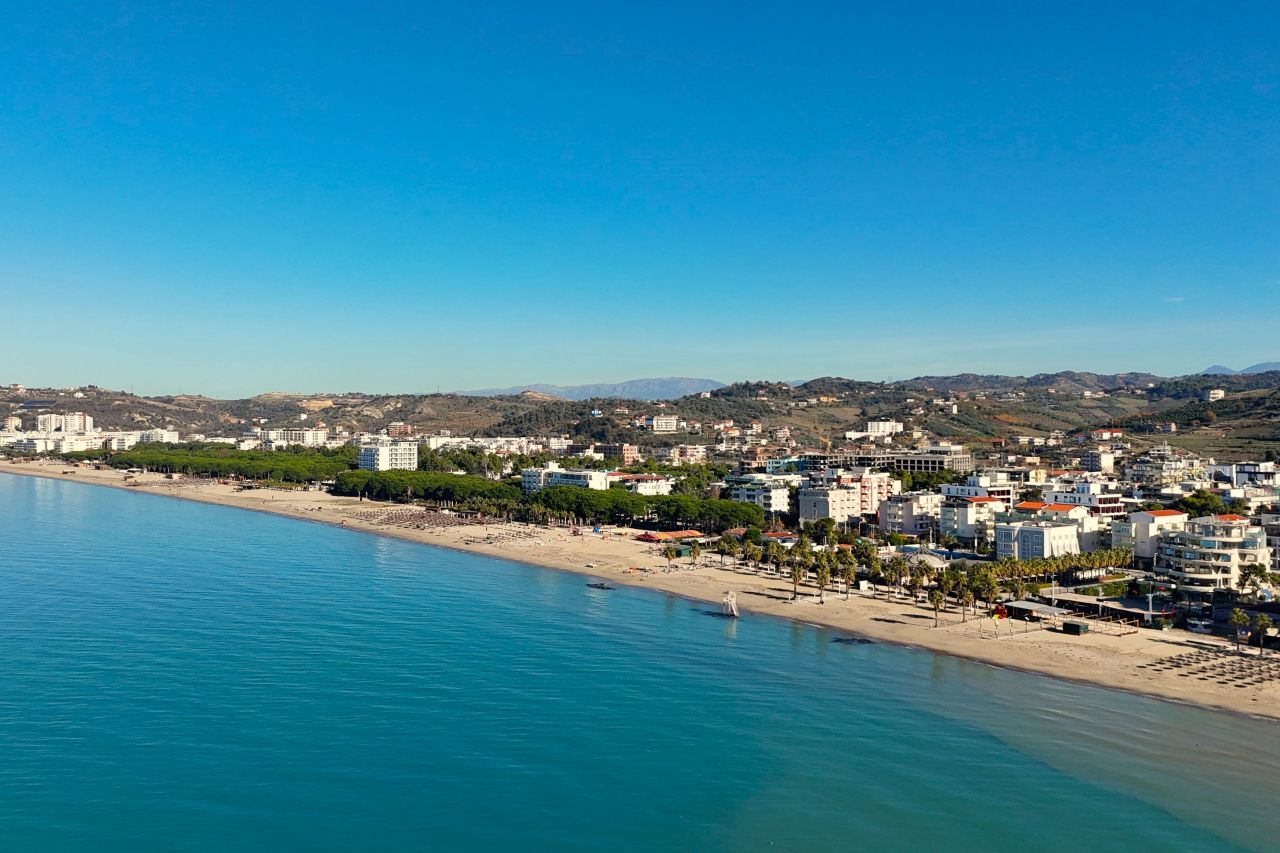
1127 663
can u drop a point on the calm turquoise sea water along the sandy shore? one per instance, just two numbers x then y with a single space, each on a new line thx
185 677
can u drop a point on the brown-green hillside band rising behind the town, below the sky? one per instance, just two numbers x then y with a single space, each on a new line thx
988 408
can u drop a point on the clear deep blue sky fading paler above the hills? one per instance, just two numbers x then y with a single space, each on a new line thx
418 197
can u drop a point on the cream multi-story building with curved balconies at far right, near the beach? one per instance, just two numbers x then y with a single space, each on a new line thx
1210 553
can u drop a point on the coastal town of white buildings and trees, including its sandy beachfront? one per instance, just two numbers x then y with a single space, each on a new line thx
1095 540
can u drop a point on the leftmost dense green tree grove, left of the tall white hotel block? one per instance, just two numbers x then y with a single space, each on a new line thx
294 466
